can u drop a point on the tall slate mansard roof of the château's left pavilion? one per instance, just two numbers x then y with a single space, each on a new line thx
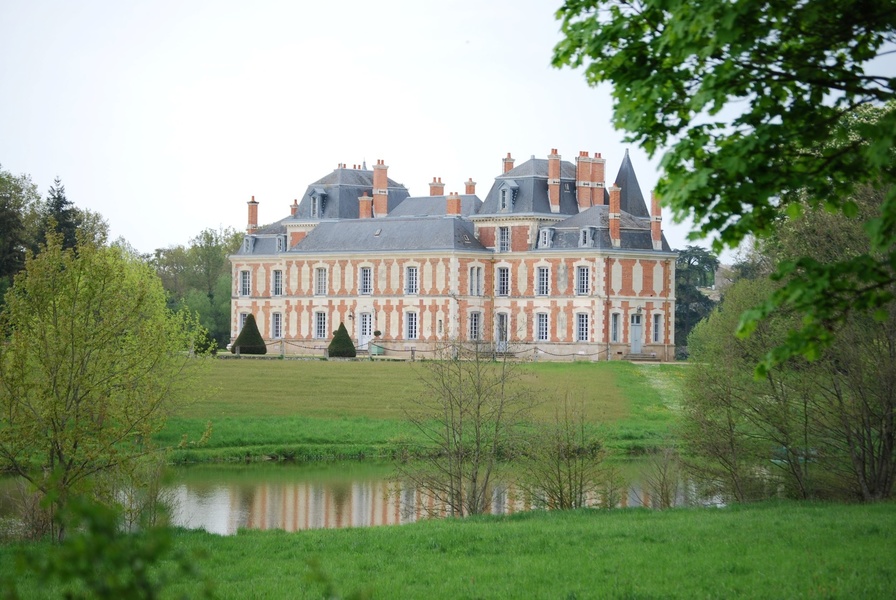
342 188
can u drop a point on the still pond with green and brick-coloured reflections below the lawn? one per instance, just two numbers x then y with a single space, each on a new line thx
223 499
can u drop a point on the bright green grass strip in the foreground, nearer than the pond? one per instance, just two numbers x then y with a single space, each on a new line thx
774 550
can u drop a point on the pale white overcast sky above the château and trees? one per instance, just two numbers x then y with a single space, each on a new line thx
166 116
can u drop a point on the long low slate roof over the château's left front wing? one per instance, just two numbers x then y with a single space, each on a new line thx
396 234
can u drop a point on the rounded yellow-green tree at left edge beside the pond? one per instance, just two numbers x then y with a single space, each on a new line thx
92 366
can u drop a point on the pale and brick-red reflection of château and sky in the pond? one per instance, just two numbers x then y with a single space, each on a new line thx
225 508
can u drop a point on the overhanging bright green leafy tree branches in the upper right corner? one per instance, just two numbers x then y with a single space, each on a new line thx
758 106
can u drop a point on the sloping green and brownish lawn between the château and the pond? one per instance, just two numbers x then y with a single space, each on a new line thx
322 409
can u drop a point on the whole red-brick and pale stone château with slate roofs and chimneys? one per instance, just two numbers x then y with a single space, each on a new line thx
551 264
